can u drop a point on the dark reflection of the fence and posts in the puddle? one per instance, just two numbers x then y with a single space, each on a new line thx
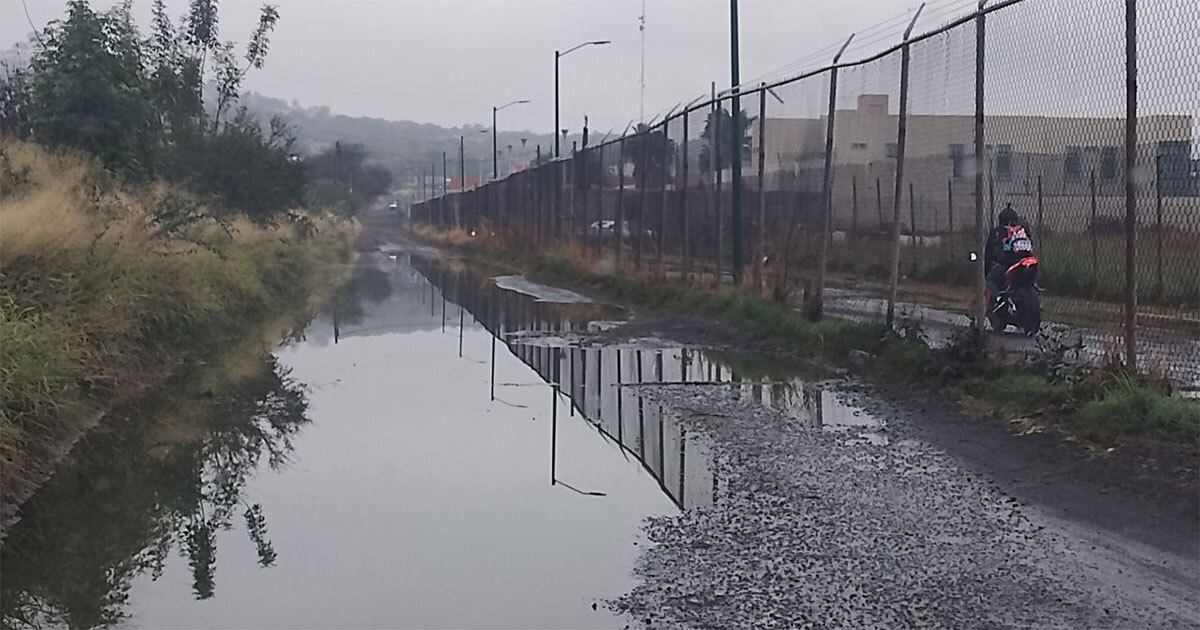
608 386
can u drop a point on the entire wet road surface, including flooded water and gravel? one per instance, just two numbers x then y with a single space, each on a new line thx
447 449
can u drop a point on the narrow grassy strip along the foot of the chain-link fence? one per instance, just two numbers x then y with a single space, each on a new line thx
1105 405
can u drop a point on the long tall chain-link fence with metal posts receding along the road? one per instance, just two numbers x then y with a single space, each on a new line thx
867 185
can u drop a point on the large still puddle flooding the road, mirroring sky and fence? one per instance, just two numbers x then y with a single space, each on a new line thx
433 452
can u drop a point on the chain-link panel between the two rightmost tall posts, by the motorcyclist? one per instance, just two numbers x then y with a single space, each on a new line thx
1055 133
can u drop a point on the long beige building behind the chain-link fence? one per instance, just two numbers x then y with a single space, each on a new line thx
1060 154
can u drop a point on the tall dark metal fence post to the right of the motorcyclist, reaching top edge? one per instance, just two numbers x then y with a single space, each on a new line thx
1131 307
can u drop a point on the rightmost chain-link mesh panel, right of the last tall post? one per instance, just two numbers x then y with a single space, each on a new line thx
1168 195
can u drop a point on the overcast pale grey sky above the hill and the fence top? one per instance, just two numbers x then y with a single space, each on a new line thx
449 62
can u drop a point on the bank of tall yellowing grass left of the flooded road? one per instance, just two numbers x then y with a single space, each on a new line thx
106 291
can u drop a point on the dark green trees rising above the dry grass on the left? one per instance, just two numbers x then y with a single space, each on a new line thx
139 104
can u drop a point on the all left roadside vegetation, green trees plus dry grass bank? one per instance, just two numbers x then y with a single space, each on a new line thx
148 221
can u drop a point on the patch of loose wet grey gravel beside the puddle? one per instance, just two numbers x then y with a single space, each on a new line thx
815 529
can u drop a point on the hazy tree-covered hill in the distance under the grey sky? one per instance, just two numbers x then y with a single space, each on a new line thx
404 147
